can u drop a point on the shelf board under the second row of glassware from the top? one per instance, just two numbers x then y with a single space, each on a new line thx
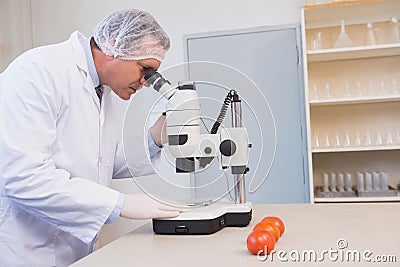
354 100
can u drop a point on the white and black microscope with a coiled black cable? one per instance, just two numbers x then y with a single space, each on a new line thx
186 144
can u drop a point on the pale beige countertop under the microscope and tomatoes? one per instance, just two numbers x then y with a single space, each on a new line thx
318 227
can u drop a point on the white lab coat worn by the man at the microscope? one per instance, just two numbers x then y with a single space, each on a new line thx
58 151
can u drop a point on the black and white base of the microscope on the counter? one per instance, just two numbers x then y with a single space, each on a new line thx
205 220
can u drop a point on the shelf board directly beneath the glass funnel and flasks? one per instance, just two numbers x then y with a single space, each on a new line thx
355 52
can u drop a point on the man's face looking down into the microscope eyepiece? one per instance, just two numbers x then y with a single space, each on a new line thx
127 76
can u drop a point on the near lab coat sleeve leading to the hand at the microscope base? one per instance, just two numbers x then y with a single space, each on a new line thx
28 175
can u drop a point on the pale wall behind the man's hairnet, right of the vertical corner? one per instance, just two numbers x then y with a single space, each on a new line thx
54 20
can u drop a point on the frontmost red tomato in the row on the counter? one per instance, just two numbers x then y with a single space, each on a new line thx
259 242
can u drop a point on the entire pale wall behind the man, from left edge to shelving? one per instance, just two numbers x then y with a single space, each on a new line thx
53 21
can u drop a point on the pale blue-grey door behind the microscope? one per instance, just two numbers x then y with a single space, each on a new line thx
264 66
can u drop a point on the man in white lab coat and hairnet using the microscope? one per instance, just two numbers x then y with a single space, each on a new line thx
59 146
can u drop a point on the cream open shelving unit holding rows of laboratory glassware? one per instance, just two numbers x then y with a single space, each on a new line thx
352 94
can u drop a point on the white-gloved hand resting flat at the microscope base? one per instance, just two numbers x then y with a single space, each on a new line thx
141 206
